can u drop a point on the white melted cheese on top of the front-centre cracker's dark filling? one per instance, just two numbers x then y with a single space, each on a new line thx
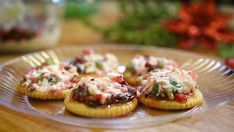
104 86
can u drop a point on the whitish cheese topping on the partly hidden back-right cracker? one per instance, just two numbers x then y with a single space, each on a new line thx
139 62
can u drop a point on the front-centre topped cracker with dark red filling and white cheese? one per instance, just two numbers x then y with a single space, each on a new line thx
102 97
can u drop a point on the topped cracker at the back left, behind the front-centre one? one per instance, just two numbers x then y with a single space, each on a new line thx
91 63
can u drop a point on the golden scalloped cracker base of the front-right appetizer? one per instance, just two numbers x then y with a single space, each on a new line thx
196 99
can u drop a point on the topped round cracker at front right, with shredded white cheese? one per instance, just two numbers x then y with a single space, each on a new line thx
170 89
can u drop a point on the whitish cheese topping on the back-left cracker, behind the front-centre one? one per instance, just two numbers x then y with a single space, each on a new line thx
107 63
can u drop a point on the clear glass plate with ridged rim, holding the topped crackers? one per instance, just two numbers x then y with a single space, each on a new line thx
215 81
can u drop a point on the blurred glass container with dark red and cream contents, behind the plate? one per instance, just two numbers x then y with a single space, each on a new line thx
27 25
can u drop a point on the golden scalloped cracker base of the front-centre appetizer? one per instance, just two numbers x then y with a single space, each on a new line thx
114 110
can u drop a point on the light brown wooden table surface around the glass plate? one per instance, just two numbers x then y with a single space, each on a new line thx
74 32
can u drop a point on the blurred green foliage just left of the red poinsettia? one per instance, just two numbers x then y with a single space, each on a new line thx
141 23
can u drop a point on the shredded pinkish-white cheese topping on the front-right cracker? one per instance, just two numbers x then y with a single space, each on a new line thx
180 80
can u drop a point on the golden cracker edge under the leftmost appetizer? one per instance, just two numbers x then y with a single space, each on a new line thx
57 94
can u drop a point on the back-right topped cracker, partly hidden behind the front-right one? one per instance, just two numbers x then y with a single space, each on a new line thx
140 65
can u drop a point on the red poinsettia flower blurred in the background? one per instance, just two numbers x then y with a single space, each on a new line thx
200 23
